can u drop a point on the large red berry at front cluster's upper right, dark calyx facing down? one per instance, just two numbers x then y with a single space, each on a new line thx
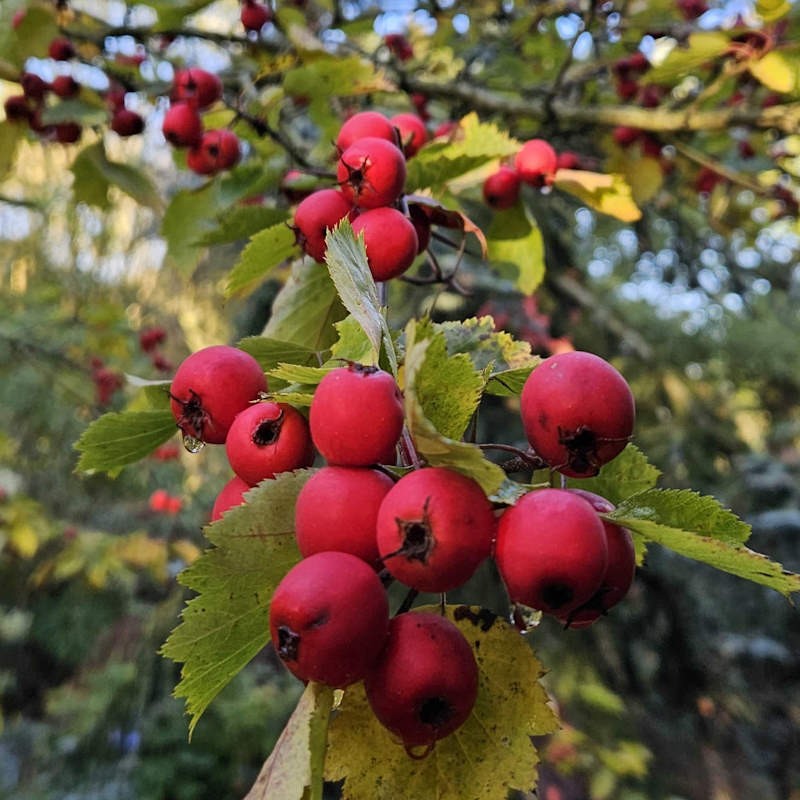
577 412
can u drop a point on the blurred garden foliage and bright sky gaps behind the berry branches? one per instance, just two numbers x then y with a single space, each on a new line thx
691 689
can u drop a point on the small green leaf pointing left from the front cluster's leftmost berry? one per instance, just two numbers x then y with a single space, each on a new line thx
117 439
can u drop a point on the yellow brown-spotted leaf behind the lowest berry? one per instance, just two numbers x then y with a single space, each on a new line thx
489 754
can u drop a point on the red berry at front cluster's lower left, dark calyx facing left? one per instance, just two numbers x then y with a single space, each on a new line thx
329 618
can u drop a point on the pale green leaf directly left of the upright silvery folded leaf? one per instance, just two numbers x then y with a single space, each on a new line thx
306 308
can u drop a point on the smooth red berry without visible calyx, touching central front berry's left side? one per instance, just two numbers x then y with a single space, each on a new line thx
337 509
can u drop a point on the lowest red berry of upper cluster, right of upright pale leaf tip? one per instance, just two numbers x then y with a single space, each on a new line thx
390 239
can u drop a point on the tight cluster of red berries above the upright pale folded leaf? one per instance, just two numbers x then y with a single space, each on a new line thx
371 173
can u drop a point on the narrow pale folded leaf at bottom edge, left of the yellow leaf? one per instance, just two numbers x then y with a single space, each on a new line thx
296 762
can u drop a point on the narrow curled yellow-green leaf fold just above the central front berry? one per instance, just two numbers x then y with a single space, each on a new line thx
436 449
